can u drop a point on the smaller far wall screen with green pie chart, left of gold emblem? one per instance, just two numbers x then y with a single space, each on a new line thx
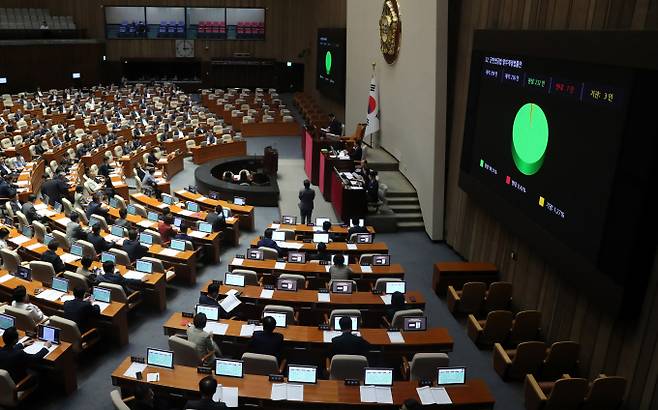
330 68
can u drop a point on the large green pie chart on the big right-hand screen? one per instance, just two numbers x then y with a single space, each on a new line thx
529 138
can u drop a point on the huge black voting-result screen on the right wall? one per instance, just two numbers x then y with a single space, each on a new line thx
558 147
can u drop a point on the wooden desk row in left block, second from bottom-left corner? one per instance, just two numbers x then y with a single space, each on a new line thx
114 316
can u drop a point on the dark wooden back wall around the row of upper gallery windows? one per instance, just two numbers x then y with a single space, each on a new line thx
291 28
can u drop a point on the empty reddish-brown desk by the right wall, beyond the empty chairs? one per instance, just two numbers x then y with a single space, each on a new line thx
458 273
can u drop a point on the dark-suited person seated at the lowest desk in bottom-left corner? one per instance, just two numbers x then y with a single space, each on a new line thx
14 360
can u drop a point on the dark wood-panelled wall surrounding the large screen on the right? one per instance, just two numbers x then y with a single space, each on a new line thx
627 347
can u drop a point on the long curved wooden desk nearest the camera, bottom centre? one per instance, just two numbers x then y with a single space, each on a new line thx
184 380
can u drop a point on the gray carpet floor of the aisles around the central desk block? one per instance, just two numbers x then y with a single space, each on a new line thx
413 250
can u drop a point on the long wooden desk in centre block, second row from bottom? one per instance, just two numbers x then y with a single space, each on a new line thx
431 340
